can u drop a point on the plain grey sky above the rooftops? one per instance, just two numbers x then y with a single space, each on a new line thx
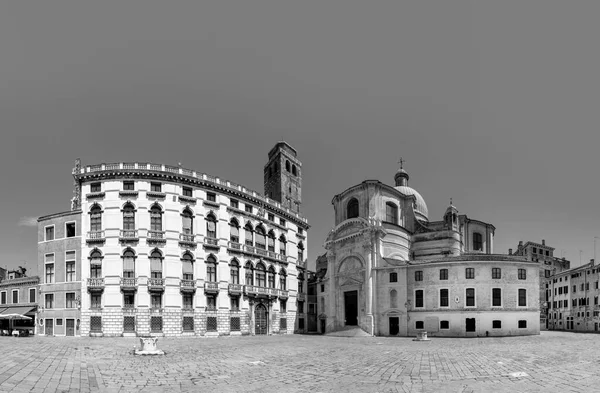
495 104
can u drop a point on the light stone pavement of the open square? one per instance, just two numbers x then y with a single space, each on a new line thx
551 362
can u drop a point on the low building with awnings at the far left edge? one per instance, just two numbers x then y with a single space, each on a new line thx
18 295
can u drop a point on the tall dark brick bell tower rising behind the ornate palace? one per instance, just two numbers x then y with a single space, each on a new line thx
283 176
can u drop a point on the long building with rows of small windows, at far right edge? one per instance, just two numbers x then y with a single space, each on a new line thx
572 297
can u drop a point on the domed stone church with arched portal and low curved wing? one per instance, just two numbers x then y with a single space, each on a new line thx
393 272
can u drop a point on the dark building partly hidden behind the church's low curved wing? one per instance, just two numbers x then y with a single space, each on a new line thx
548 265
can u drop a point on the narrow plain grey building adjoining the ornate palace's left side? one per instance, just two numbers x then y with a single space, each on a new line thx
60 264
